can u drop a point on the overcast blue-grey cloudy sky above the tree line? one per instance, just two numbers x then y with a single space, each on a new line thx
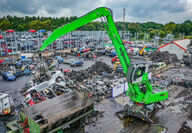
161 11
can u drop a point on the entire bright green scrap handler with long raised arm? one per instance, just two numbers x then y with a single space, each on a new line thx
140 91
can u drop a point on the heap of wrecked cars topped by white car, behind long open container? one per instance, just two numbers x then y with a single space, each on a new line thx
56 86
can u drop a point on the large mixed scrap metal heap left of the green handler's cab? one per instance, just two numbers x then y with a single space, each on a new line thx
94 81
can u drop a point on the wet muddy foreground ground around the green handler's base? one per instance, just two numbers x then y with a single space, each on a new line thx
172 118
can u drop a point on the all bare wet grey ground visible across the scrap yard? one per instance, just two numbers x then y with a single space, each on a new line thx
175 115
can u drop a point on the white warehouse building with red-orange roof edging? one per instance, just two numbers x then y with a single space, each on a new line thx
176 47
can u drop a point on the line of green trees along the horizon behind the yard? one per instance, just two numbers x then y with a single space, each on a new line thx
50 23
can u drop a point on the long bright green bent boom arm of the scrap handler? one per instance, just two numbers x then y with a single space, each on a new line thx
109 25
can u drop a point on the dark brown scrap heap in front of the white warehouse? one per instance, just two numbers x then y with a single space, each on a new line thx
164 56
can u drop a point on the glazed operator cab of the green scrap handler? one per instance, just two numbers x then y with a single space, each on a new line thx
136 71
